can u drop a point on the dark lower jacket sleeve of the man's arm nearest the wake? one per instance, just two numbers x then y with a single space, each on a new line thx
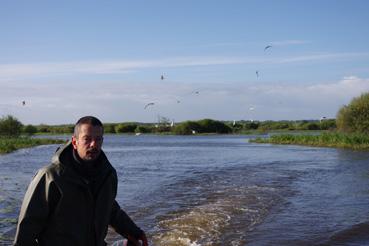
123 224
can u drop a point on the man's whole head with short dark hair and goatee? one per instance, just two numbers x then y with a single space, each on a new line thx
88 138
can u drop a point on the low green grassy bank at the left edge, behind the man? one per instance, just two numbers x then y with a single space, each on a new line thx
8 145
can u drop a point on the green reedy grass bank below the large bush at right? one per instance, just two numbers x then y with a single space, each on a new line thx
336 140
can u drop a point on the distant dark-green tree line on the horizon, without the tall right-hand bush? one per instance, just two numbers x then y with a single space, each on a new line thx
12 127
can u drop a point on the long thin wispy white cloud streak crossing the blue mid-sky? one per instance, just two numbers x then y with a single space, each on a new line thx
47 69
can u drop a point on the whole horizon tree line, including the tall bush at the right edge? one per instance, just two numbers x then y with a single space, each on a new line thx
351 118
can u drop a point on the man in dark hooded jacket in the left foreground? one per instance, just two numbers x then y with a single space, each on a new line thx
72 201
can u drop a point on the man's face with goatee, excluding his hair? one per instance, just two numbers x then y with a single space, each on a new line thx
88 142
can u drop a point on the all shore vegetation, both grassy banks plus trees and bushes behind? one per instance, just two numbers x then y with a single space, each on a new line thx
350 129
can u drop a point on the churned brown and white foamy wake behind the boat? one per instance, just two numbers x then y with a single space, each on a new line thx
205 224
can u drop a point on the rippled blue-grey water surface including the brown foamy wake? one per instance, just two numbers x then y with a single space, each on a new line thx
220 190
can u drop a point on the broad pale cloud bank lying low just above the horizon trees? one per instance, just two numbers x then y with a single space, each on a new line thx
123 101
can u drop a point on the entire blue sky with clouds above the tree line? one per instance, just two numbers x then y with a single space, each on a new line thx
67 59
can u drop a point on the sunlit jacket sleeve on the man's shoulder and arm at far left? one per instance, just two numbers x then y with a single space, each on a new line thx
35 210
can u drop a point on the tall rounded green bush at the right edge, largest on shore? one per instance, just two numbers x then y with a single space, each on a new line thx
354 118
